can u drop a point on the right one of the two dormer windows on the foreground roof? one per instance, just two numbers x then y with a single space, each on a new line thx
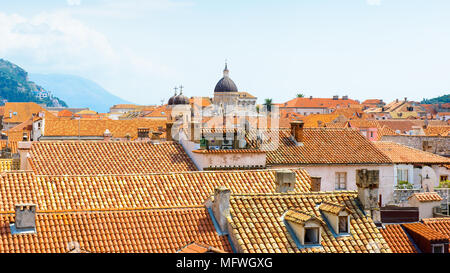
337 217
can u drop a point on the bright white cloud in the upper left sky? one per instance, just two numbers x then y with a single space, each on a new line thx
52 38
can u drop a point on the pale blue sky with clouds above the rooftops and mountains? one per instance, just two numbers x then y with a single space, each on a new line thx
140 50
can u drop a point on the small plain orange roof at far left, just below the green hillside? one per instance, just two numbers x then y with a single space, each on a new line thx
24 111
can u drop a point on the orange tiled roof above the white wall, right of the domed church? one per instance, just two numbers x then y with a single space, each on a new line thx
321 146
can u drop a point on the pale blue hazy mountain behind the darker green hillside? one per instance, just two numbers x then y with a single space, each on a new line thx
78 92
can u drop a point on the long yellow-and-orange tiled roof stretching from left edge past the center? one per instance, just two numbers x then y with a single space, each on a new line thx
102 192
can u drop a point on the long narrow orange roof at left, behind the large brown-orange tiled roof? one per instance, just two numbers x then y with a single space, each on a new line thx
118 128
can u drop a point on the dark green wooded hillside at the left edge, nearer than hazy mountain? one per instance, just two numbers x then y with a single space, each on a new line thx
16 87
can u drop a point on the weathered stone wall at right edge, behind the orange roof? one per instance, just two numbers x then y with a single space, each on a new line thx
432 144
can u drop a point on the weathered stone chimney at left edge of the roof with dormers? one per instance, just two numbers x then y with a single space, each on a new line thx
221 207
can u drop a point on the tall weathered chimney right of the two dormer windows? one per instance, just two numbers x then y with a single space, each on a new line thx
367 182
